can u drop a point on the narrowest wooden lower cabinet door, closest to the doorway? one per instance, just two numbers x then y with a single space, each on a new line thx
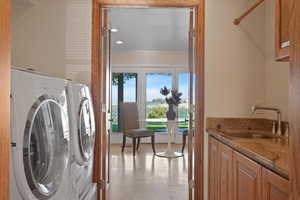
213 172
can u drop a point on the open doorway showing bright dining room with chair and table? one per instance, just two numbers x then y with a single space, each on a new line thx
147 50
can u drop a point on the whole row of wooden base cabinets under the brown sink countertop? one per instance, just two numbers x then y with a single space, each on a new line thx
233 176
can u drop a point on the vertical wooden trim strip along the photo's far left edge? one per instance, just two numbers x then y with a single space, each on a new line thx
5 57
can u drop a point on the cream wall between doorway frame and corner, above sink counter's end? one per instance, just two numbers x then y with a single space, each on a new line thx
235 60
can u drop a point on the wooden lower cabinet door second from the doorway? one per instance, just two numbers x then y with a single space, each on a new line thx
225 176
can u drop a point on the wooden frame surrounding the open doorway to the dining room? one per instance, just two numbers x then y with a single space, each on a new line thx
98 73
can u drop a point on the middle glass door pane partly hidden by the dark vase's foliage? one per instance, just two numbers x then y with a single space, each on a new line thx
156 106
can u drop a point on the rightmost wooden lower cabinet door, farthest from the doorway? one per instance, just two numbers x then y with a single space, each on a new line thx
275 187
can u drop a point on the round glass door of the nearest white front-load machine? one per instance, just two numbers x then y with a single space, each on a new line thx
45 148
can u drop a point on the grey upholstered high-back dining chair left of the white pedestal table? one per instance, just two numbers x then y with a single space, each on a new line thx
131 128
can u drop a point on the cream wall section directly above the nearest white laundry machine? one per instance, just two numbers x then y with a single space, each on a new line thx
38 39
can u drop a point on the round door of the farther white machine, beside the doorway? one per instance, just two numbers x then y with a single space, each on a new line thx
86 129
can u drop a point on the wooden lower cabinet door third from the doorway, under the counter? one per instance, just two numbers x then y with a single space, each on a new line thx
246 178
